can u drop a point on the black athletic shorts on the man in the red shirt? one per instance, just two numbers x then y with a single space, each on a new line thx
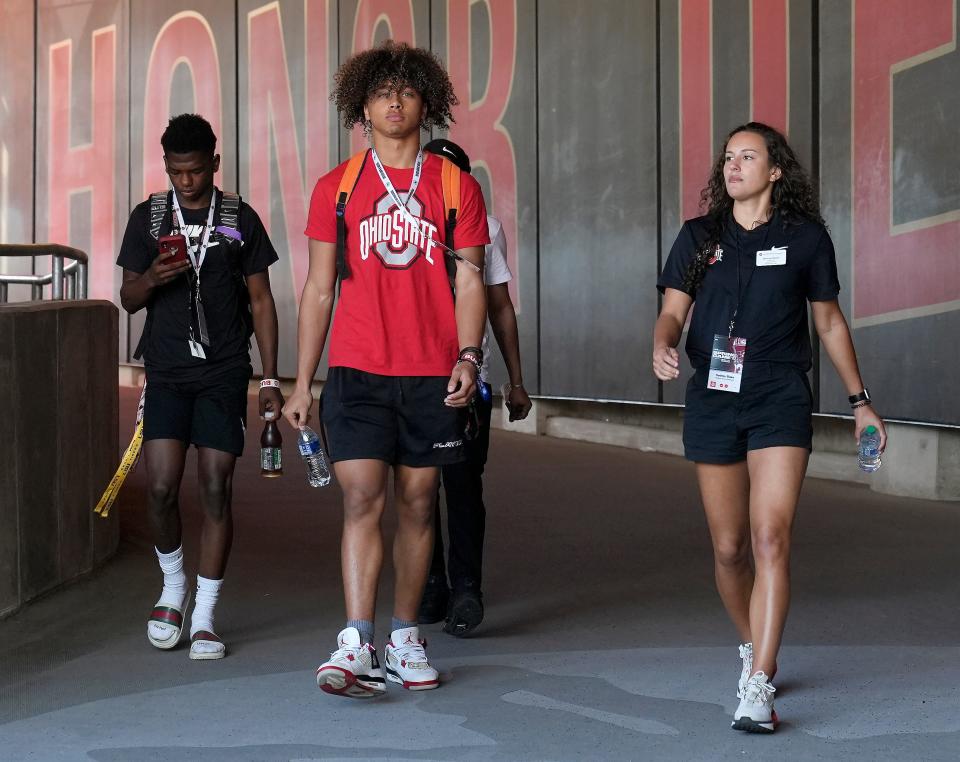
397 419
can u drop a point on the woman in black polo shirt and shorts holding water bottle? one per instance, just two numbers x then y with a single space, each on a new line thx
752 263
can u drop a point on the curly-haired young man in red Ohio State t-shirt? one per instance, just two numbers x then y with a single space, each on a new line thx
404 355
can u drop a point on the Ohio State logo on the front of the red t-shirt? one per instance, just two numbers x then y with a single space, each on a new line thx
394 237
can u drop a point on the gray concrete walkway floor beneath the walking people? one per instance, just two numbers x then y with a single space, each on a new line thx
604 637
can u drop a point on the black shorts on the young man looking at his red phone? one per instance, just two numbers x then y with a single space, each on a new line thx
206 413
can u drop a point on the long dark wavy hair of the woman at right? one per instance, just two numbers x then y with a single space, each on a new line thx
794 196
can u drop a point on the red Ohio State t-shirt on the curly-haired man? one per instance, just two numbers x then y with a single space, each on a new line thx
395 313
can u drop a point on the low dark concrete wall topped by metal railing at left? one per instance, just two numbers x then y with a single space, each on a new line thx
59 448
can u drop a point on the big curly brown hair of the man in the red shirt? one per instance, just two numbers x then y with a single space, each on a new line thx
396 64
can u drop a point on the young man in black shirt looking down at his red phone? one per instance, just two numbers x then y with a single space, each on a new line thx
195 345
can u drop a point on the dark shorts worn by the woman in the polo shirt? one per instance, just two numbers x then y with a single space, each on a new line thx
772 409
